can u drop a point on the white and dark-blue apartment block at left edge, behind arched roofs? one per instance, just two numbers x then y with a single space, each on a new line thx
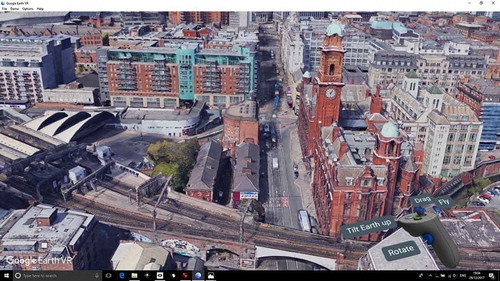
31 64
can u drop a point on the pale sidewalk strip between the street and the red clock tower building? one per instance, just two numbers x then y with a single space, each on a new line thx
304 180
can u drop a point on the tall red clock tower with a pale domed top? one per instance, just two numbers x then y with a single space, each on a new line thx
329 79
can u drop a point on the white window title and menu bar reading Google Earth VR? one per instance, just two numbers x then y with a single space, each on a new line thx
253 5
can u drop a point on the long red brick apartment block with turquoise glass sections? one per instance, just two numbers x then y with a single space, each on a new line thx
163 77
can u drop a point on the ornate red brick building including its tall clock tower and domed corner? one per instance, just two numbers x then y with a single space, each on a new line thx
357 175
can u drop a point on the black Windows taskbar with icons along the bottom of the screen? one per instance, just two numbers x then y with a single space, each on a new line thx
232 275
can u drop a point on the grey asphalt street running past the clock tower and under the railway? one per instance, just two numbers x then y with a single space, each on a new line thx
281 197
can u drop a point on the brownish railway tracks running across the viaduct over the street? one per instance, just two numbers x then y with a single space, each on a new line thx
273 236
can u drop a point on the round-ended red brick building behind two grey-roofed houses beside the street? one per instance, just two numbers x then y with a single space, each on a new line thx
240 125
